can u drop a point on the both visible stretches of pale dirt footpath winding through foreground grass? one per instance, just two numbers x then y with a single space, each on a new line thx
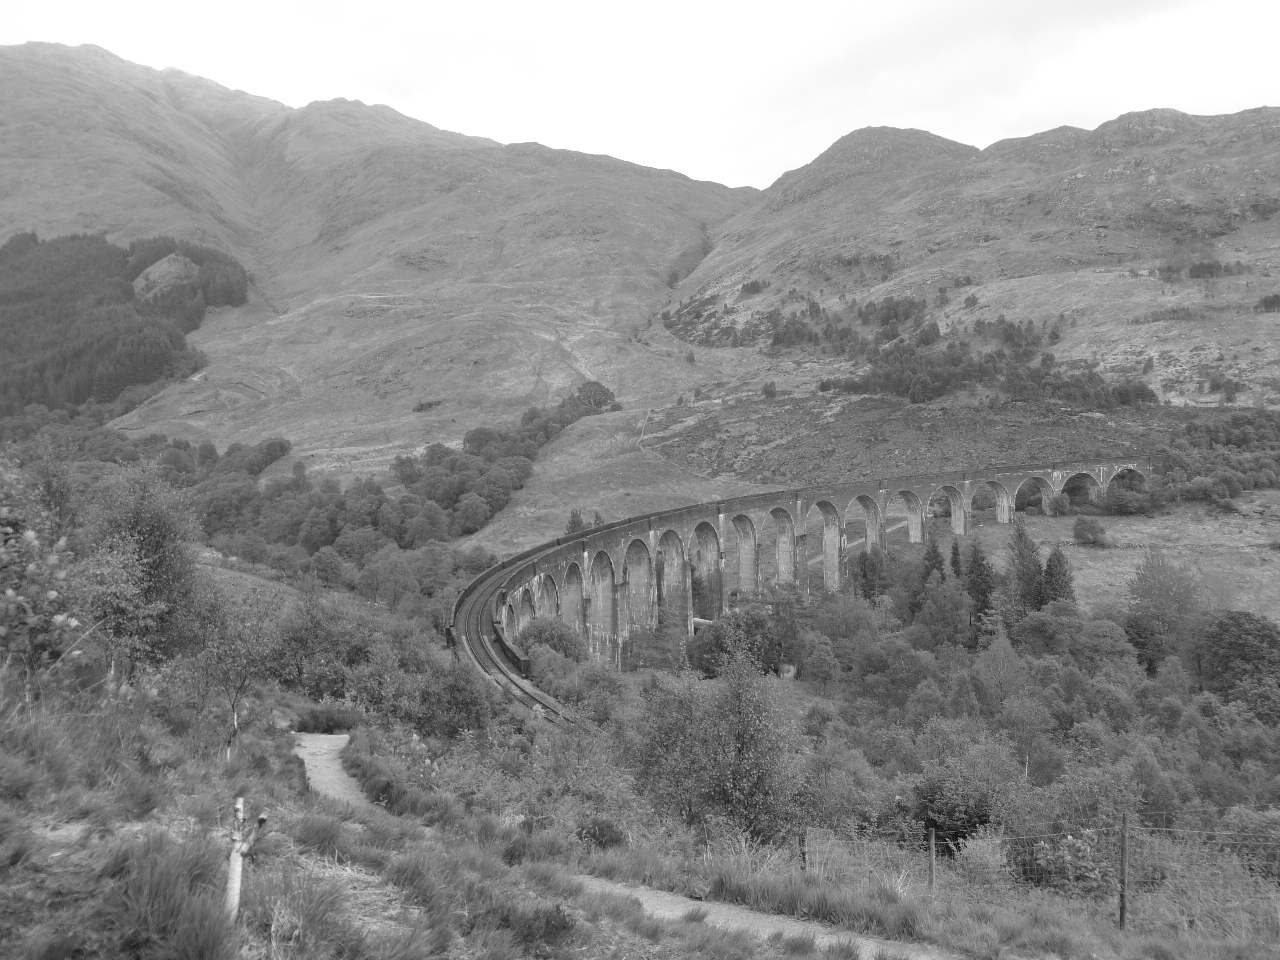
319 752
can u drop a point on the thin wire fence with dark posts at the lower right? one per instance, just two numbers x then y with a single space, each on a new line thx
1203 880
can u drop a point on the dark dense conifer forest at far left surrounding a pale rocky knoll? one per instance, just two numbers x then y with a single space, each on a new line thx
72 330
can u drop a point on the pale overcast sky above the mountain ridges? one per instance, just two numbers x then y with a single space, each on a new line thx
735 93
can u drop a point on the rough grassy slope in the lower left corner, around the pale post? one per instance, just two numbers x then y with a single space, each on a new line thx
113 842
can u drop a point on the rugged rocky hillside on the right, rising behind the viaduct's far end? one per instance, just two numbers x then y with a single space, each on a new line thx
1154 236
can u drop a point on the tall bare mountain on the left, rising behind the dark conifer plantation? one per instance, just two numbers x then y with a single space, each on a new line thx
394 262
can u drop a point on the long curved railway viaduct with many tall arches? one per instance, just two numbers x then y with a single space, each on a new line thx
609 583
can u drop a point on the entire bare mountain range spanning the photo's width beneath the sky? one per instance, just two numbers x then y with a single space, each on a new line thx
396 263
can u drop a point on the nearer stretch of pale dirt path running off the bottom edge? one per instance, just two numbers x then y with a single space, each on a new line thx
673 907
